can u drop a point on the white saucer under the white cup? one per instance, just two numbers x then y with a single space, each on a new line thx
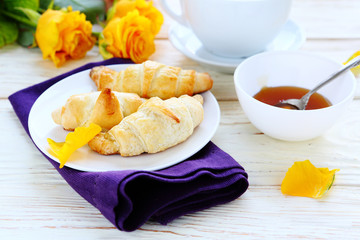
291 37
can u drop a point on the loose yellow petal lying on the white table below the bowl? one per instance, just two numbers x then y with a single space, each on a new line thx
305 180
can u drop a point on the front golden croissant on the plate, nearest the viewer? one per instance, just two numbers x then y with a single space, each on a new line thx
157 125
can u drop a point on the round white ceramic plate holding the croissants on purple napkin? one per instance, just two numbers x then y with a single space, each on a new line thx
41 127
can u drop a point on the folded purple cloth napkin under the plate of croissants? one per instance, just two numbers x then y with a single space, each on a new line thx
130 198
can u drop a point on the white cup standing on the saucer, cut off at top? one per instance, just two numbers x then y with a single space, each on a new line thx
232 28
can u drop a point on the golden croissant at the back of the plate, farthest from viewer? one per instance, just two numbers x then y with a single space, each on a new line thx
152 79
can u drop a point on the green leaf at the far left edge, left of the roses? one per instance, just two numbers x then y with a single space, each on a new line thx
8 31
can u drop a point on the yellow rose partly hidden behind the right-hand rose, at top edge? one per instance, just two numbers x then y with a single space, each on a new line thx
145 8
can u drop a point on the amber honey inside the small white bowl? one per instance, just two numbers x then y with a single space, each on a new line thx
274 95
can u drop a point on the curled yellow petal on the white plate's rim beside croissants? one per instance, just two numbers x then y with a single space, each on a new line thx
73 141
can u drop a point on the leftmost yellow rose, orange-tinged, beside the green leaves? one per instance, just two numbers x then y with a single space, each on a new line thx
63 35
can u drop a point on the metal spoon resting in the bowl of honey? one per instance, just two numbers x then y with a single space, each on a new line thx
300 104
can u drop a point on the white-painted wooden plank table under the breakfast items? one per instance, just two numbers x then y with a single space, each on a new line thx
36 203
